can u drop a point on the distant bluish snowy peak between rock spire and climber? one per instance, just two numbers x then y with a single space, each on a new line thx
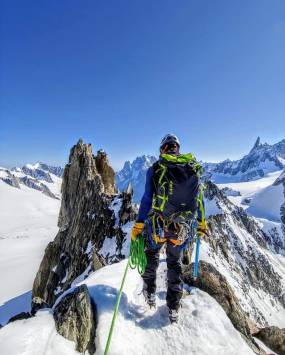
134 173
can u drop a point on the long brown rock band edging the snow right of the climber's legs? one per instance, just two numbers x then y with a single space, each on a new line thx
216 285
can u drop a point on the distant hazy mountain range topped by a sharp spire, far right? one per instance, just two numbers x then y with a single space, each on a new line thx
261 160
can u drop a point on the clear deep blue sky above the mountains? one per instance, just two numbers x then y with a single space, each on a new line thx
121 74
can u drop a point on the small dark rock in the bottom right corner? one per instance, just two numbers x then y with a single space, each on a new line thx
274 338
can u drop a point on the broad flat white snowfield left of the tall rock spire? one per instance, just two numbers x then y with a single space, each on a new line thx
28 221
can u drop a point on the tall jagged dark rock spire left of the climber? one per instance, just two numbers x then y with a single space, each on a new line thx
86 219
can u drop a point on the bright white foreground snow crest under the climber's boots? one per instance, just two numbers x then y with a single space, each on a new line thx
203 328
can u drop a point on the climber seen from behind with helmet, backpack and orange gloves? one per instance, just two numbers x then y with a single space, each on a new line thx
171 203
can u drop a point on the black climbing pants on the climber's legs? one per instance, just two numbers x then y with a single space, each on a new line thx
174 272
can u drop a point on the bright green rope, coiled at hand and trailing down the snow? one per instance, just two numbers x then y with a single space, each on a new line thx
137 259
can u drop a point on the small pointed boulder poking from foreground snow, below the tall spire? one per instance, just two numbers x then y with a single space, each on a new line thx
75 319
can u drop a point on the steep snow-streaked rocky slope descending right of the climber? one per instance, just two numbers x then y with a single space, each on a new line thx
239 249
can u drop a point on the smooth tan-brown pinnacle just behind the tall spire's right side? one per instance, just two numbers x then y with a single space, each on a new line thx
106 172
